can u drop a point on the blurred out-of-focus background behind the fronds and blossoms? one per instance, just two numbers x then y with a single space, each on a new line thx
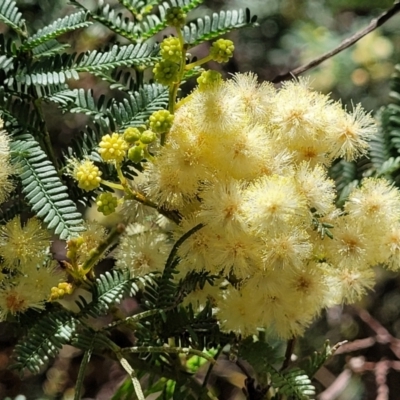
290 33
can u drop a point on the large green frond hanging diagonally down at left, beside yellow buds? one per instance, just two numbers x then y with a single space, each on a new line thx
44 190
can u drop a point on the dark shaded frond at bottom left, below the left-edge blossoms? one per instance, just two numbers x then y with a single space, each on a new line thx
44 340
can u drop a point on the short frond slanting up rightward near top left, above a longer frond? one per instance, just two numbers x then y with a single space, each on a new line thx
60 26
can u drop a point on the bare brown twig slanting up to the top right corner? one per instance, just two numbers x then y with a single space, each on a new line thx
374 24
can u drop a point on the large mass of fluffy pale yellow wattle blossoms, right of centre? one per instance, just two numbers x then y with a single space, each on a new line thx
250 163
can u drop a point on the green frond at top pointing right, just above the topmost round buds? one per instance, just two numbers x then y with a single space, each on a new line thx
208 28
